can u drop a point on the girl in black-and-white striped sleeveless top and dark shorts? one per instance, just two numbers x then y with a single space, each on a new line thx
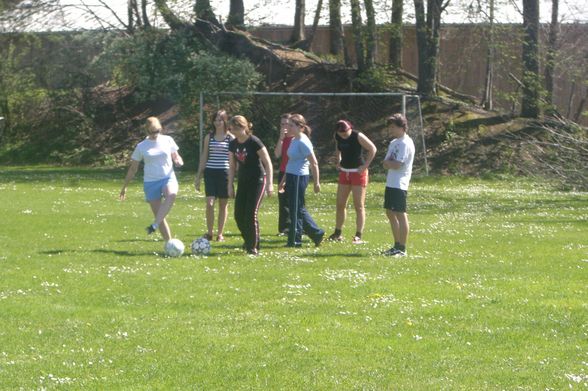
214 166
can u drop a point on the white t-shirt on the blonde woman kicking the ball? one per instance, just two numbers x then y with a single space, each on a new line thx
156 154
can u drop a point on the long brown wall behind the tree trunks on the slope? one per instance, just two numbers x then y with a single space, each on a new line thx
462 61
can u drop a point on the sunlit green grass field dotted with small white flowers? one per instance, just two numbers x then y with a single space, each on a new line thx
492 296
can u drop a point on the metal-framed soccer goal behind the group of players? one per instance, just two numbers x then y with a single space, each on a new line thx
366 111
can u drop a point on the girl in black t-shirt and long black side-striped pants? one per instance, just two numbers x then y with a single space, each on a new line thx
255 177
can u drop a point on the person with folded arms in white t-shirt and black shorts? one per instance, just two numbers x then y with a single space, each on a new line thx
398 162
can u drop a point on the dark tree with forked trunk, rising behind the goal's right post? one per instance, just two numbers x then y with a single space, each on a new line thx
427 31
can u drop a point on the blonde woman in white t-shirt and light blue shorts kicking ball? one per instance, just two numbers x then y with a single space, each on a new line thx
159 153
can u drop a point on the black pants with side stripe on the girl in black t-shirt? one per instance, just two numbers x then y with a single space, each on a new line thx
247 202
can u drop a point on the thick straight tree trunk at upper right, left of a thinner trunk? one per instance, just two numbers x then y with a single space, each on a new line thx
531 83
